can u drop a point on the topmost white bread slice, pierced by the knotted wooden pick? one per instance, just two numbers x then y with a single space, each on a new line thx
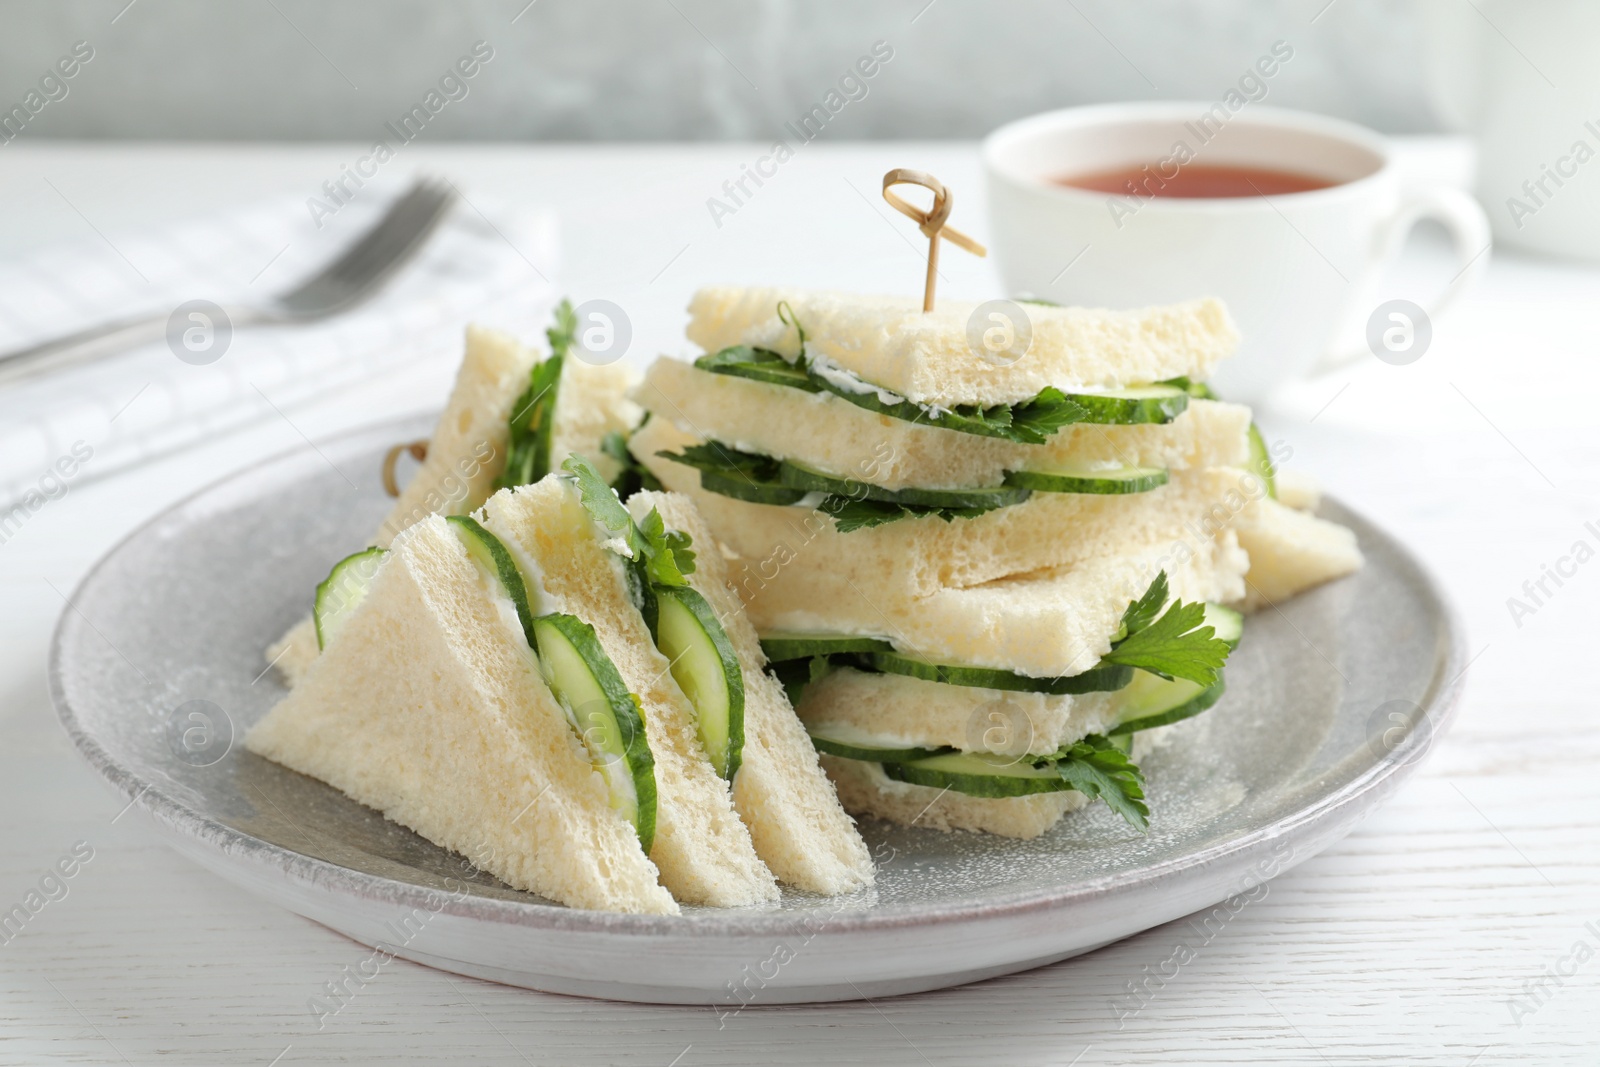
892 343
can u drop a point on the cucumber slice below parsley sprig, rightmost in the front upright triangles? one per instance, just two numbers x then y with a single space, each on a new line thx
706 669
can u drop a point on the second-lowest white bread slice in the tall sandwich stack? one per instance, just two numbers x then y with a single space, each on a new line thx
913 713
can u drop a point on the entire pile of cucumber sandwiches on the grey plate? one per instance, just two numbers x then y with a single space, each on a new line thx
638 650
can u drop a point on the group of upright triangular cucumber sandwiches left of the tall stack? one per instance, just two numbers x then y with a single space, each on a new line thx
558 685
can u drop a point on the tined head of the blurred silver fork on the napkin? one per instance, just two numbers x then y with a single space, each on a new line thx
388 244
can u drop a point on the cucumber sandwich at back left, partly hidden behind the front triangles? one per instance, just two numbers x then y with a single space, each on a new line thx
510 412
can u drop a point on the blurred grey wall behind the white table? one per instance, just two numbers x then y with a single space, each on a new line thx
684 70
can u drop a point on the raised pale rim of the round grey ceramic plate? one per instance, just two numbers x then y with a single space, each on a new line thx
1383 777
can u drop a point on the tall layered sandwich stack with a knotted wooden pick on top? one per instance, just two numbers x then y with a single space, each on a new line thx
988 577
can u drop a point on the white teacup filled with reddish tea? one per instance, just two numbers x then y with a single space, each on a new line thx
1295 270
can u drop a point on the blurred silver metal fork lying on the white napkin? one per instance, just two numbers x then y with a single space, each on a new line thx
359 273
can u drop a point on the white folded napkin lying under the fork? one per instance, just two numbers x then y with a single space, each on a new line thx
486 262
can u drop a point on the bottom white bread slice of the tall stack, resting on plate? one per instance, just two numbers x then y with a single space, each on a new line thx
866 791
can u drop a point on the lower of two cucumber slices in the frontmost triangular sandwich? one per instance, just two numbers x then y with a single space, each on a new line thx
606 714
